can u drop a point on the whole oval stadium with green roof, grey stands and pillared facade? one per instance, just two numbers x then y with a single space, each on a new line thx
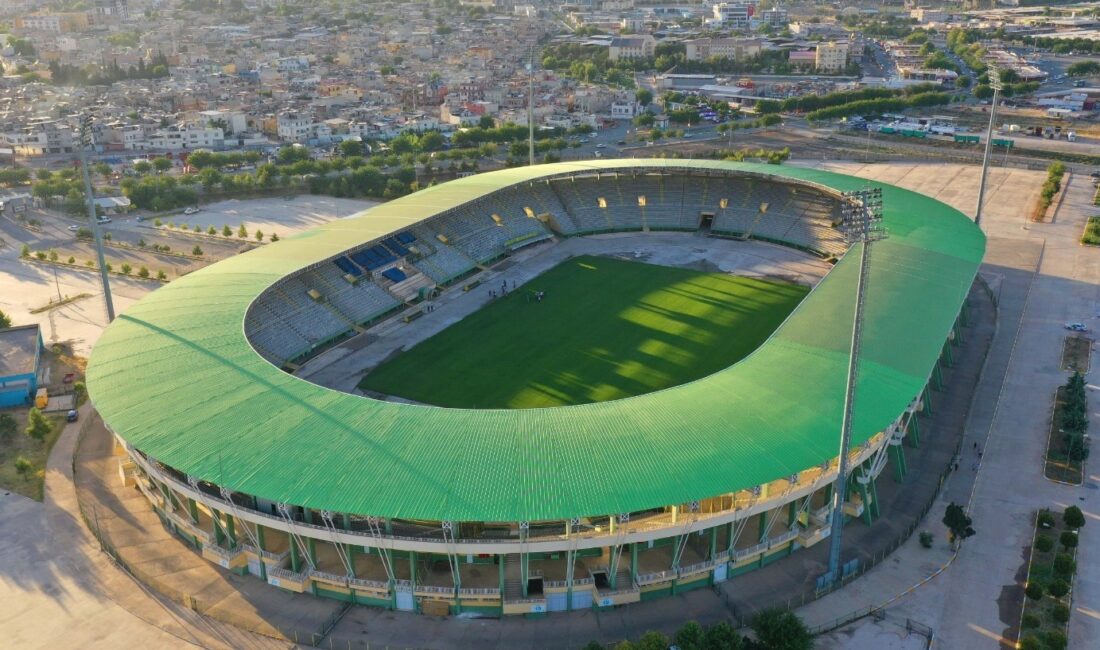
608 431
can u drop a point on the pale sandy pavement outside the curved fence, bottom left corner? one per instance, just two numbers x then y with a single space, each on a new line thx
59 591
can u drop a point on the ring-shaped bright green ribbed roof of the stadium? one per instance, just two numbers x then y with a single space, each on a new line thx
177 378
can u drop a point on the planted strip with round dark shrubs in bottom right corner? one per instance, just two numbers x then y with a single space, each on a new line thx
1051 571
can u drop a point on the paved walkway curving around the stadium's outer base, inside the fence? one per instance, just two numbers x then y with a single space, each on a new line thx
130 524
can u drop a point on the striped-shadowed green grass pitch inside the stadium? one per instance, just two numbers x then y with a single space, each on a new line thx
607 329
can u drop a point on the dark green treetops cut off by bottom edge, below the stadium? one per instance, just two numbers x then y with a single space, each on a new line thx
775 630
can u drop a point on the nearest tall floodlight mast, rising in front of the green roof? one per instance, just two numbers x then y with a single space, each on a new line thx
862 225
